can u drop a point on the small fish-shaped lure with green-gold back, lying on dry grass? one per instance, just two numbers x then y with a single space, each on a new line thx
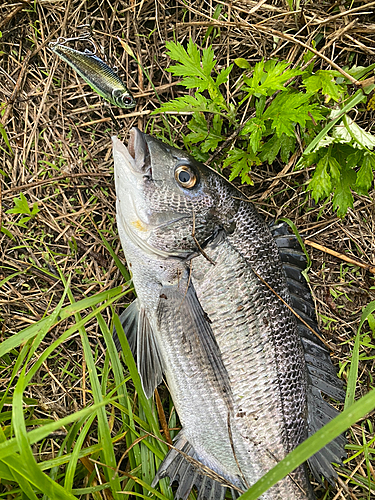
101 78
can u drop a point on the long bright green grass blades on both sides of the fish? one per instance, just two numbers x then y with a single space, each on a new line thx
118 411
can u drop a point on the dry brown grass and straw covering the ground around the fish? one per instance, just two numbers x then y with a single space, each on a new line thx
59 132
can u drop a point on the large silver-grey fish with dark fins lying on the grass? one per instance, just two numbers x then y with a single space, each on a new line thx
245 374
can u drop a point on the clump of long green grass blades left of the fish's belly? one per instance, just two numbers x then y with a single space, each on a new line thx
111 405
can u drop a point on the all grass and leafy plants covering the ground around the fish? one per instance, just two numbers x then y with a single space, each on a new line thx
279 118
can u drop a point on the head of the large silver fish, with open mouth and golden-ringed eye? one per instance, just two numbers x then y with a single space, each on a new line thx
166 200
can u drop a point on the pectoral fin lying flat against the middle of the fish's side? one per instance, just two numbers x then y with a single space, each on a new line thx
179 309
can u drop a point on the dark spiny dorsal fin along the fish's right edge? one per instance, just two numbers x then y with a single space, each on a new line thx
321 374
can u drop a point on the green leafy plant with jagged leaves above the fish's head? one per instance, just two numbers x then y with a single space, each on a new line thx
284 101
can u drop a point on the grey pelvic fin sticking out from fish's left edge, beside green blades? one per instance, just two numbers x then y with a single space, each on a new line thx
143 345
